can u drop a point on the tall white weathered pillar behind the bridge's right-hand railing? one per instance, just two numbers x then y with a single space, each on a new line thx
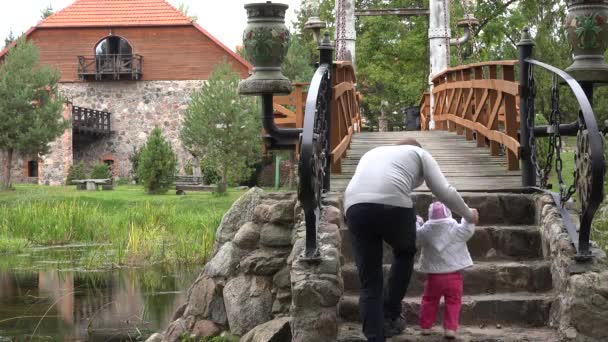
439 40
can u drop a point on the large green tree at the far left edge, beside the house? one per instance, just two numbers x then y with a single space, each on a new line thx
30 105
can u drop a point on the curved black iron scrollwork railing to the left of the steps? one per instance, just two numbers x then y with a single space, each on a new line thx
314 155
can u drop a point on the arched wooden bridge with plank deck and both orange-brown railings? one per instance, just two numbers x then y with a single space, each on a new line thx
476 113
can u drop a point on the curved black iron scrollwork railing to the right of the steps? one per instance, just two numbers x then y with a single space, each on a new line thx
589 165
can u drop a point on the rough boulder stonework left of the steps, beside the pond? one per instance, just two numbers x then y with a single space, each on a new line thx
256 286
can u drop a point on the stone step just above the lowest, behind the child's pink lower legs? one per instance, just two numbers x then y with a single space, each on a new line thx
526 309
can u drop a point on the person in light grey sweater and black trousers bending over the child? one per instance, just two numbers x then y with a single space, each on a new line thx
379 207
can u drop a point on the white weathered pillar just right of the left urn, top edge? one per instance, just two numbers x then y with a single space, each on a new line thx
346 34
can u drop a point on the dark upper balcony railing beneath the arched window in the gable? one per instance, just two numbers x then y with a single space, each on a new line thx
110 67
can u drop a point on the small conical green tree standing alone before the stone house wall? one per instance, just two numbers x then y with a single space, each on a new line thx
157 164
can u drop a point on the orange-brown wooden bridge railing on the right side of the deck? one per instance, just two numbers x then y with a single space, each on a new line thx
482 99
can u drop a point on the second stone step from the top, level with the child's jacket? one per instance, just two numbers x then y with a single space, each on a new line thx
487 244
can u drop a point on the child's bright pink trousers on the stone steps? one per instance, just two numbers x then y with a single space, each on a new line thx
449 286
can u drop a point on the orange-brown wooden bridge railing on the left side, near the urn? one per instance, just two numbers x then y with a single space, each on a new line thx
345 115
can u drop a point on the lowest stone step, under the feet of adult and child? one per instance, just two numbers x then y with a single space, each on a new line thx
351 332
